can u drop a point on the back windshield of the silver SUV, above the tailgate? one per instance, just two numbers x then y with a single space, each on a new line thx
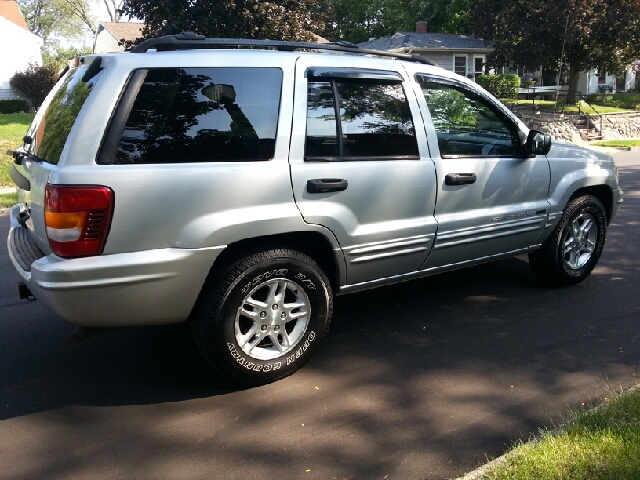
51 132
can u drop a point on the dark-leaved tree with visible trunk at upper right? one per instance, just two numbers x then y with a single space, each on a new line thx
590 33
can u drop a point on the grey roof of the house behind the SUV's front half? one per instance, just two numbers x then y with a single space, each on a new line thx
427 41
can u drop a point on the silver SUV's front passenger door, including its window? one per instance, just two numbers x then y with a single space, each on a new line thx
492 197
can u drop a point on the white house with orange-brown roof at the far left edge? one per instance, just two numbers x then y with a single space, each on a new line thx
20 46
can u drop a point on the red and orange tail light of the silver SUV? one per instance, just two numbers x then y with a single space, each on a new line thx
77 219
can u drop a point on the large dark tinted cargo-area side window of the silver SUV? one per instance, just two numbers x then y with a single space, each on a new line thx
203 115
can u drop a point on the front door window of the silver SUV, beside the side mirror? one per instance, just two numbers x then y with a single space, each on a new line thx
467 124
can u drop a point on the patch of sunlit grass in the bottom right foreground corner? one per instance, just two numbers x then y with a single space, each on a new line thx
598 444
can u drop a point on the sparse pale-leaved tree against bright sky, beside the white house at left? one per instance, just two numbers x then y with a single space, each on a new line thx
48 19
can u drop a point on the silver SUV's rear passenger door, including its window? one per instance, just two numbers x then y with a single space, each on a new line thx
360 165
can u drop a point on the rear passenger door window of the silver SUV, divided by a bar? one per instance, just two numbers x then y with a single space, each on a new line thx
372 120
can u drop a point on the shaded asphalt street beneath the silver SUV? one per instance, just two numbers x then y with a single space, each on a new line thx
421 380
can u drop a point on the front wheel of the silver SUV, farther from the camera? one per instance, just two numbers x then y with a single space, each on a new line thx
572 251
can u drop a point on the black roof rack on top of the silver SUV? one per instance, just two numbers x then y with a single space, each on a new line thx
189 41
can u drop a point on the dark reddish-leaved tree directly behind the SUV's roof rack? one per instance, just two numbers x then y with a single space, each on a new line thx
275 19
